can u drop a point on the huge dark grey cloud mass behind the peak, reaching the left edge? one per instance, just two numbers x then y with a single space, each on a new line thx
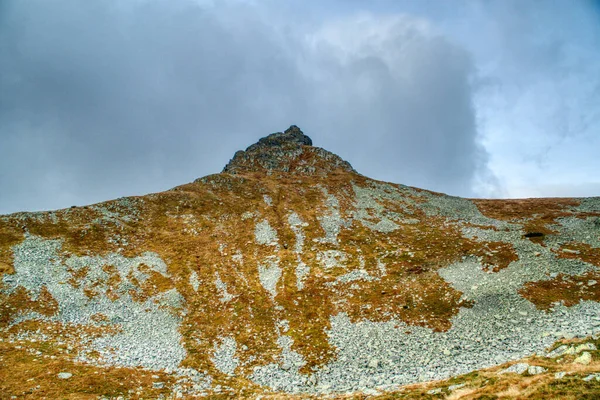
105 99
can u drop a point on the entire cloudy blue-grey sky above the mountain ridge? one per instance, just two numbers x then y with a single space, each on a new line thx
102 99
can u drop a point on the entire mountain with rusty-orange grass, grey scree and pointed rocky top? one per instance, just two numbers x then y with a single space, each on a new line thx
290 275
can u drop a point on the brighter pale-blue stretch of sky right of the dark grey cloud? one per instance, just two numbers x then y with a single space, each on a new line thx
539 107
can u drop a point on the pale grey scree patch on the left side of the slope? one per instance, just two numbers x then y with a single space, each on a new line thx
147 332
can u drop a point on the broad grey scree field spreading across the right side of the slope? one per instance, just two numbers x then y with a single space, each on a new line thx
501 326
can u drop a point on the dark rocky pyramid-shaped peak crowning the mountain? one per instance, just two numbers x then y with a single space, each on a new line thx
290 151
